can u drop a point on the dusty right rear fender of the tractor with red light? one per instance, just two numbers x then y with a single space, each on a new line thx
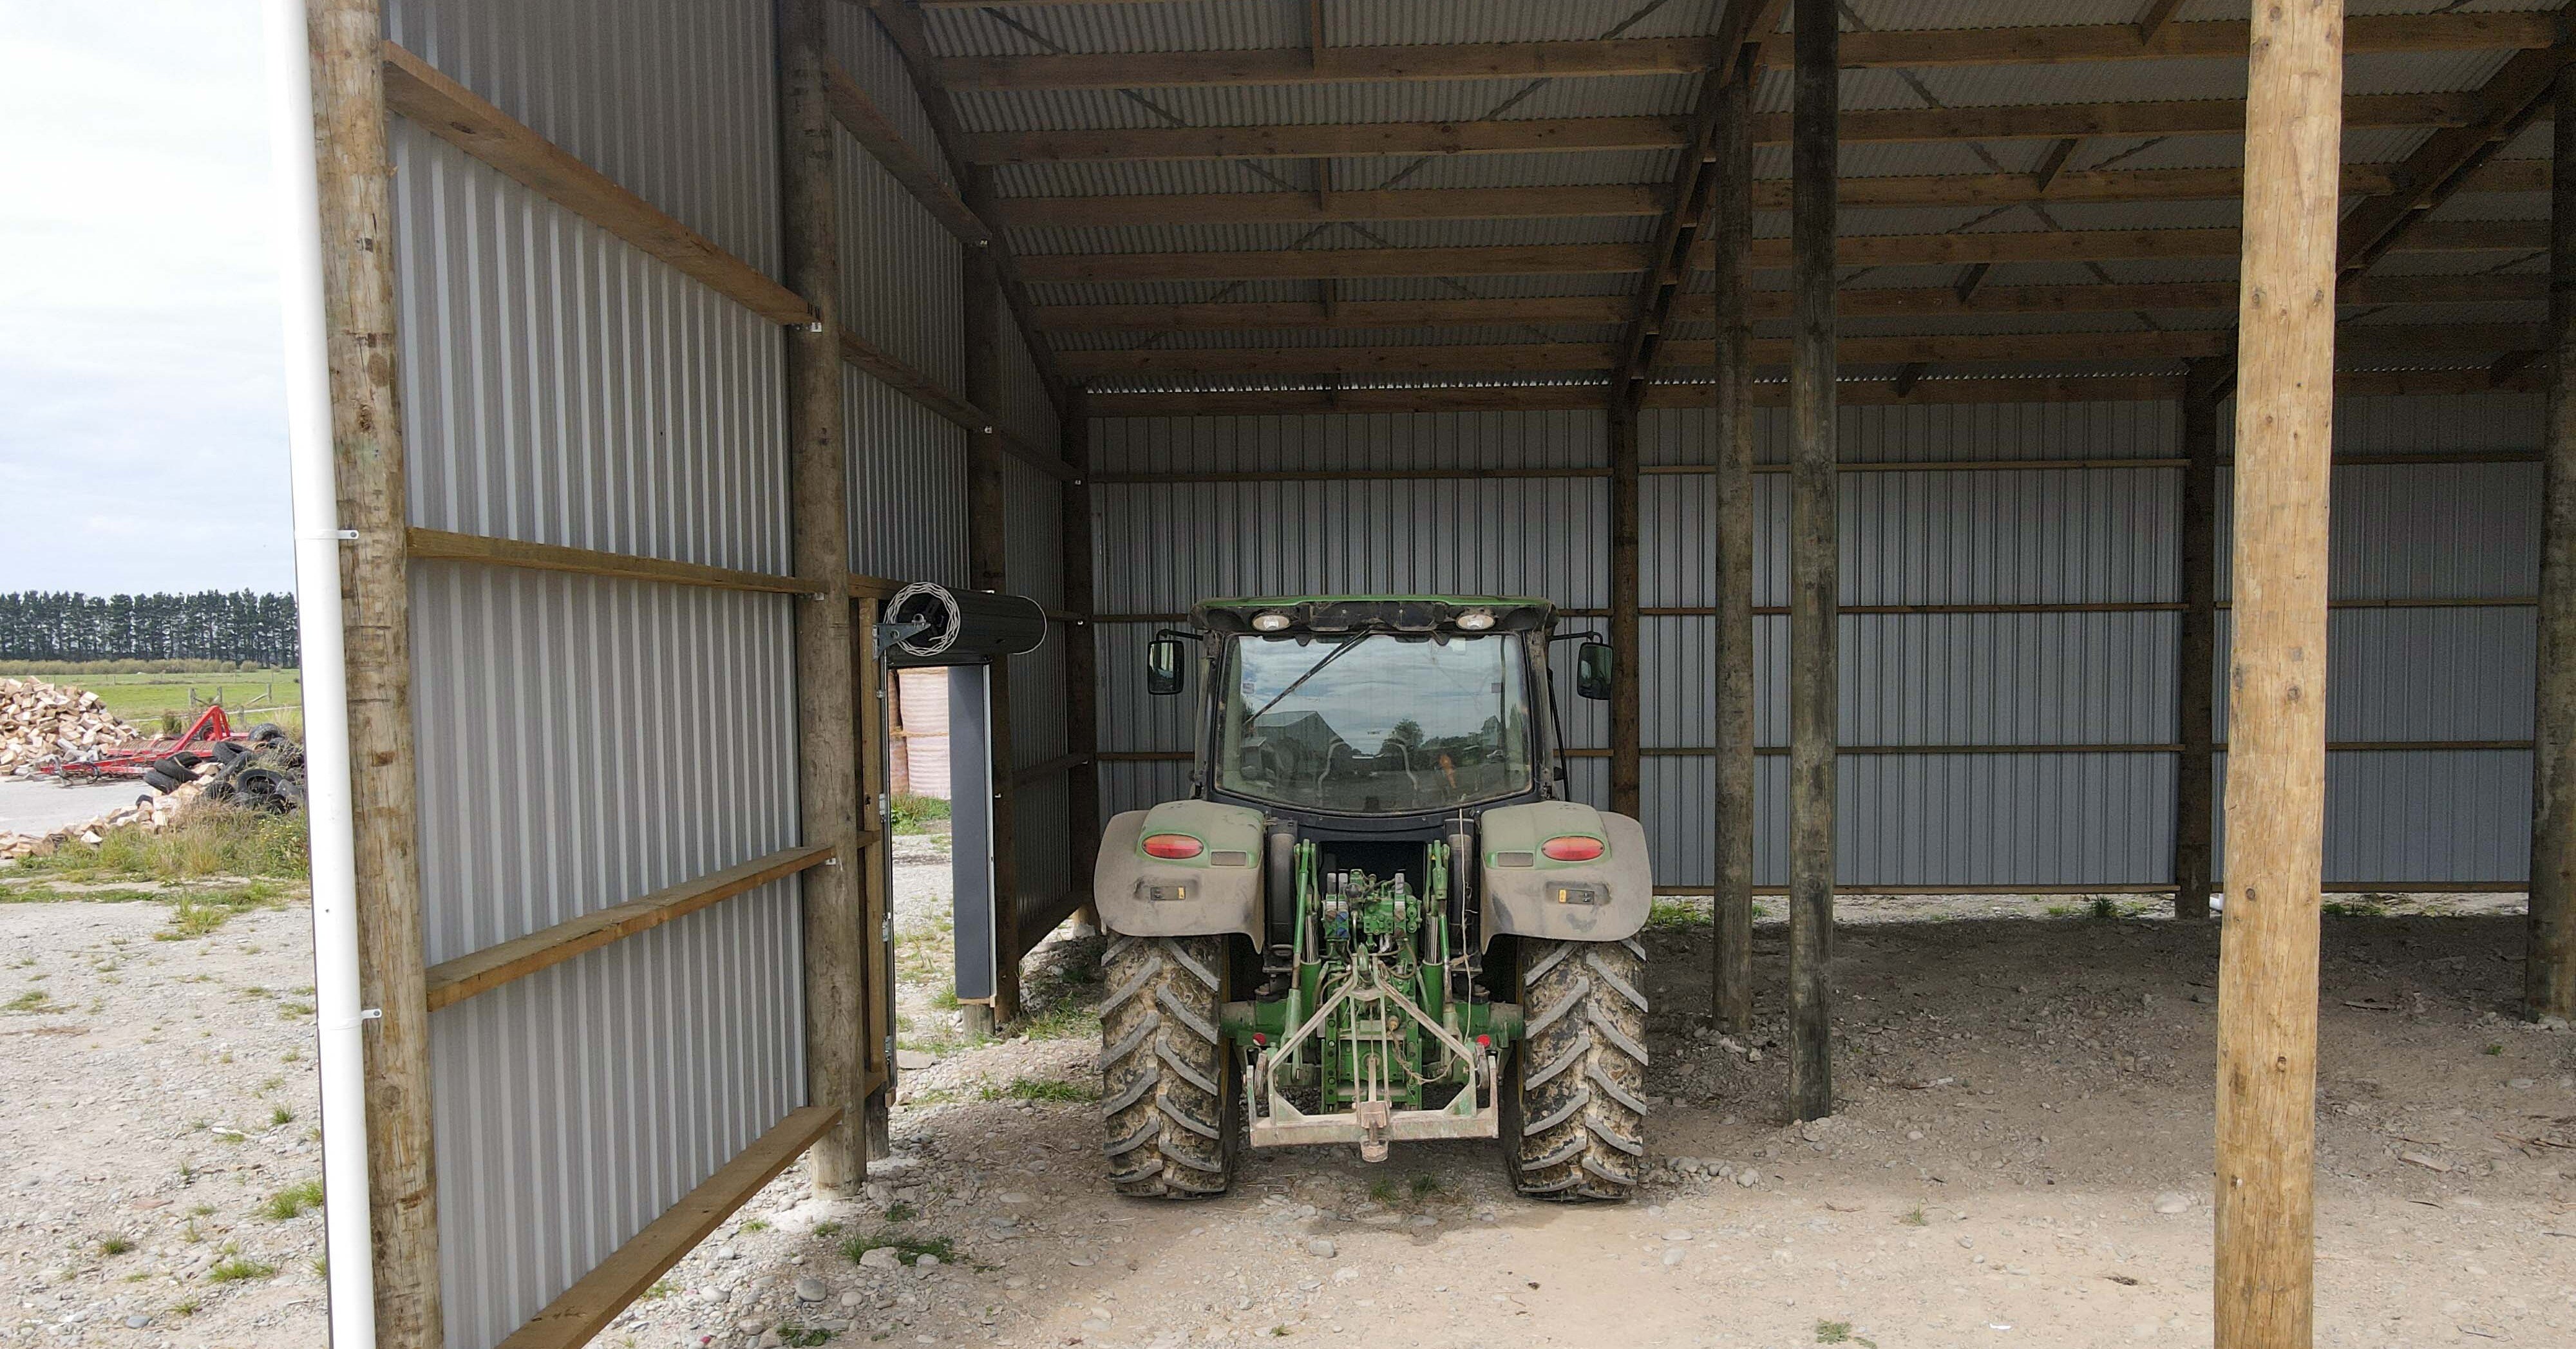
1531 895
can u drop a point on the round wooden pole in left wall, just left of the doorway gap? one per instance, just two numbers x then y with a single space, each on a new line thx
820 542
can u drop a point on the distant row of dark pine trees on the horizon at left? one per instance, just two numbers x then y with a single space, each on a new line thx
205 627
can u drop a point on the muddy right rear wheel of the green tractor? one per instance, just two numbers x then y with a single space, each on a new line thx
1575 1095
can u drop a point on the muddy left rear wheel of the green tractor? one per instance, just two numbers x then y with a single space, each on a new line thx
1171 1103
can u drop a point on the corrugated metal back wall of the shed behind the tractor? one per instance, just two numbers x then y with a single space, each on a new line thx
2041 534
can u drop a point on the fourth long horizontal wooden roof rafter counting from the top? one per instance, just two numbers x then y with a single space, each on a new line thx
1869 251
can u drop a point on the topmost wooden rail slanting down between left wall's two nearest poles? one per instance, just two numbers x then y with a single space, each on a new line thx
462 120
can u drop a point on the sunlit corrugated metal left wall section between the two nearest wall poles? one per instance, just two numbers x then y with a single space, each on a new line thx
589 740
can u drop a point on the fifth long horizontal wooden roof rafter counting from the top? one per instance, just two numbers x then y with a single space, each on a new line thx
1768 305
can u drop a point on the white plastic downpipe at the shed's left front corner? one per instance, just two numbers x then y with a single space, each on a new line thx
326 681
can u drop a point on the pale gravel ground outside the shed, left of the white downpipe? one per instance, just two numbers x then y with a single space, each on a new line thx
158 1098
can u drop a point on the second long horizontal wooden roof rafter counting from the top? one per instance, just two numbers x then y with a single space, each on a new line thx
2049 122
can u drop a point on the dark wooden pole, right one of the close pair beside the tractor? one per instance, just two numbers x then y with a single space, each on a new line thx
1812 560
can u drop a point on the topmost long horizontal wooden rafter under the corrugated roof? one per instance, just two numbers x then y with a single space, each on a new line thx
1524 60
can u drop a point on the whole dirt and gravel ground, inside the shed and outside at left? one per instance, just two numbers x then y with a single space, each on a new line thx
2023 1157
